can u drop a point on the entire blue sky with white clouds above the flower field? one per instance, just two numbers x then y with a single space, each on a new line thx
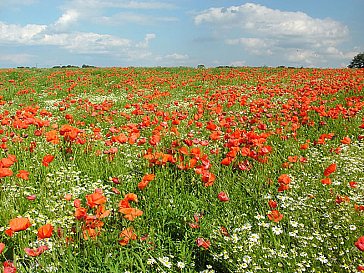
309 33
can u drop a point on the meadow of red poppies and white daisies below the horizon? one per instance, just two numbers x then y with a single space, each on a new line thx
182 170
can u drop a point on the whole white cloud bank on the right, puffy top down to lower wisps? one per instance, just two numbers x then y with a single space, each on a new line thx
295 36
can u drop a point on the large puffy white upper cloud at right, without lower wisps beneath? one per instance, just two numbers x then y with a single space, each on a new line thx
262 20
